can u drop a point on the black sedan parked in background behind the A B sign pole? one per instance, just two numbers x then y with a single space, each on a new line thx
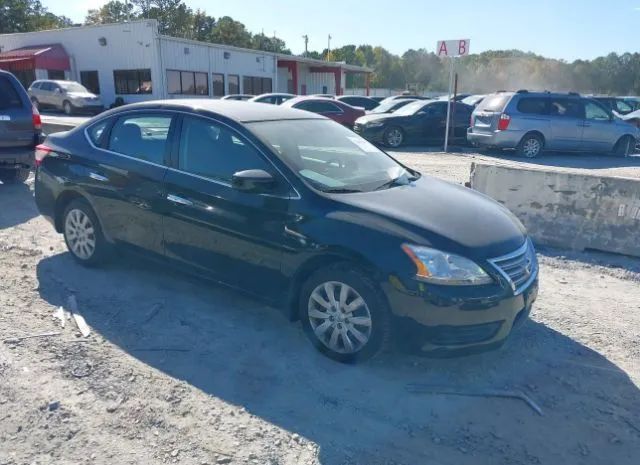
421 122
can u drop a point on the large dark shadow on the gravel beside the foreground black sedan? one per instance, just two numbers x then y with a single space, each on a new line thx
245 353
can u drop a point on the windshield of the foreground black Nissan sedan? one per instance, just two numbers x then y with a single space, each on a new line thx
330 157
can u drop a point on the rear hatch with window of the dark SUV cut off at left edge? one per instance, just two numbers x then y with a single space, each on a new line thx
16 114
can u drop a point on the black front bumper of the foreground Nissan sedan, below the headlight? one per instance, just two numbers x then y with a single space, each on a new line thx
450 320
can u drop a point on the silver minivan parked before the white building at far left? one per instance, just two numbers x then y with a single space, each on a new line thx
68 96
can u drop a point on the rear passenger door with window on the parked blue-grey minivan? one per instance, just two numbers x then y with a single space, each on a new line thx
567 123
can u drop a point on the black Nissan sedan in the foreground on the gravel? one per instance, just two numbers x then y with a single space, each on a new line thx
295 209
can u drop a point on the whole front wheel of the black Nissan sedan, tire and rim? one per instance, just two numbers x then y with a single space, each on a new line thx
357 334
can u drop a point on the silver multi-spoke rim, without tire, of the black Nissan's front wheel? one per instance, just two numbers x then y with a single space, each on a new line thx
339 317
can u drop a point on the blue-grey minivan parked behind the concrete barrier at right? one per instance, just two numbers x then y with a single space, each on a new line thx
532 122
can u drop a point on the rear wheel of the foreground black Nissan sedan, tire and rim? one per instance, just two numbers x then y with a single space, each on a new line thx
83 235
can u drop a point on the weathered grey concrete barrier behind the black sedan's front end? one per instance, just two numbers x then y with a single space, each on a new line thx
562 209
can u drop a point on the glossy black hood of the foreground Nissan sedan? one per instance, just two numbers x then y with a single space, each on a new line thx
442 215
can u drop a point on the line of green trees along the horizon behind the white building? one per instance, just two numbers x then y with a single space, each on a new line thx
418 70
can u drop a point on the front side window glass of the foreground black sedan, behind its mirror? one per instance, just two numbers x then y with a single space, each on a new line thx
213 151
